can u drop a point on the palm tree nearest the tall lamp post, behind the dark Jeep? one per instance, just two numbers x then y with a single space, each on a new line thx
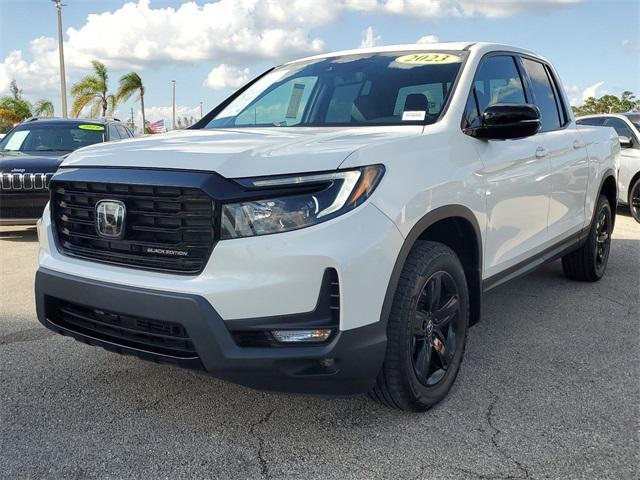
91 91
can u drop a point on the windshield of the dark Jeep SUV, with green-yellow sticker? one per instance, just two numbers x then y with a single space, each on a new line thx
52 138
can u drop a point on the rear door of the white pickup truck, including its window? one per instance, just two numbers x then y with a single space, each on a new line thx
560 142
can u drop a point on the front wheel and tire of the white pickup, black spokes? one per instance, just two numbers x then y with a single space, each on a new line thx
427 330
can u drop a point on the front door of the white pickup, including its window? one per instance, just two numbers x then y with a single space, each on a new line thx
515 175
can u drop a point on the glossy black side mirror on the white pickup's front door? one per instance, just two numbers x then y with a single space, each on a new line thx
504 121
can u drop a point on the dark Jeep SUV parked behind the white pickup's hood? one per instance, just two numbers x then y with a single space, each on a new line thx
31 153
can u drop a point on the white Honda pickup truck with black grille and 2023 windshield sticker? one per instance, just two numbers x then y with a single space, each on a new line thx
331 227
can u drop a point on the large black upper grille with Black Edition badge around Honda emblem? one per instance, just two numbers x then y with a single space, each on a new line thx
166 228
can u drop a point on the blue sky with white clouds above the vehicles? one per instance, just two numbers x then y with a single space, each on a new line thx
212 47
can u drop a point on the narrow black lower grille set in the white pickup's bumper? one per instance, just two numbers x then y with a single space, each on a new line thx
154 336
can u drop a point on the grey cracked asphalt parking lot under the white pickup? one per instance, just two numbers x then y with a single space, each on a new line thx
549 389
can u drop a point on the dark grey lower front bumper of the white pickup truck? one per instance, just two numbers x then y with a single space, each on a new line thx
348 364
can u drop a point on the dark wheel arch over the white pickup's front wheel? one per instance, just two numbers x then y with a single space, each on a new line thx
452 225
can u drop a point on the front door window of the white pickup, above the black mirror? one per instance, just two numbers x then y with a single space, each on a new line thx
497 81
